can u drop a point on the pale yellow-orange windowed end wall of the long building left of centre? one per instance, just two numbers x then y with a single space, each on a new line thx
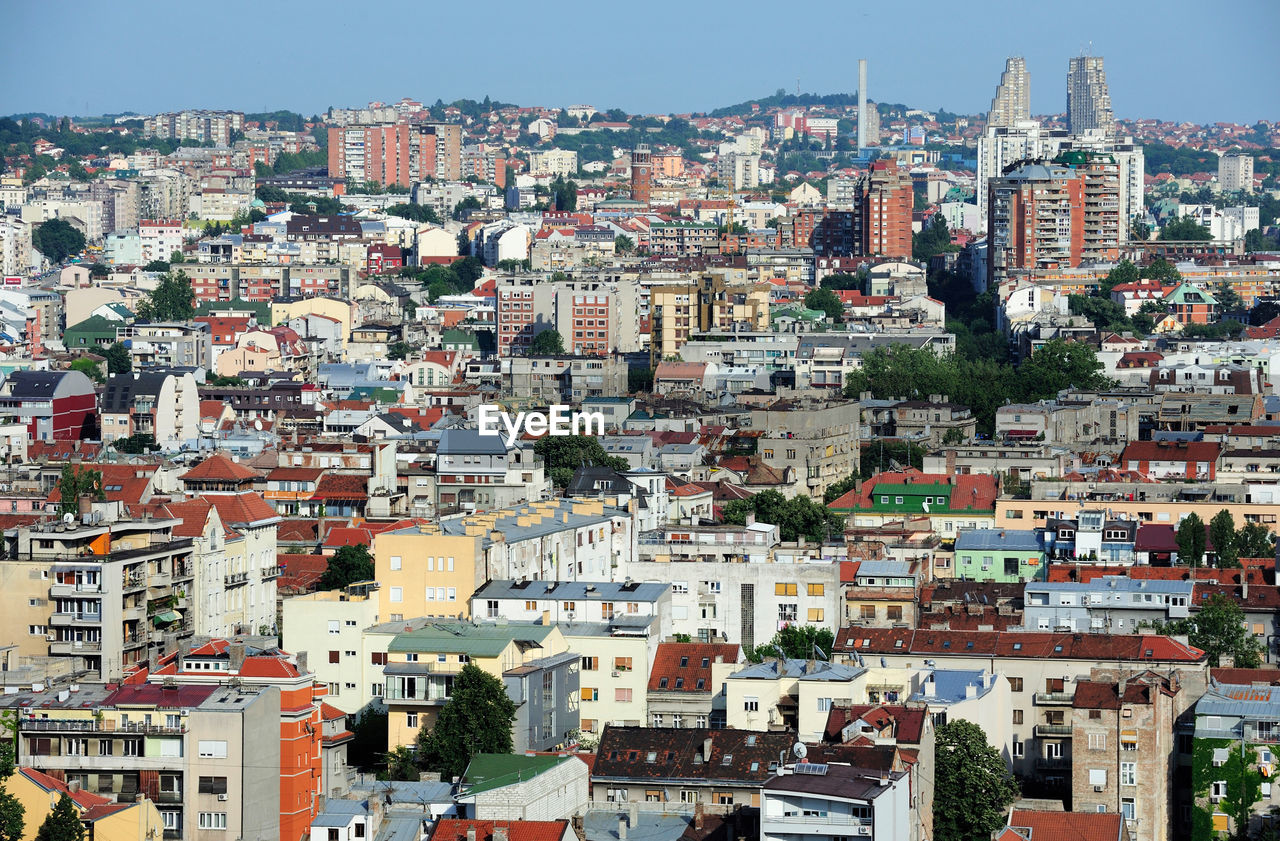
426 573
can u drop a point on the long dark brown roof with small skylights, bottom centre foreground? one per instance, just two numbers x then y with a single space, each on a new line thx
652 753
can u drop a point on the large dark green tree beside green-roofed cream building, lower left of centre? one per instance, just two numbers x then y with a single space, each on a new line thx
477 721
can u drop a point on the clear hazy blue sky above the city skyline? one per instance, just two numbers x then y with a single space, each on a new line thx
1183 61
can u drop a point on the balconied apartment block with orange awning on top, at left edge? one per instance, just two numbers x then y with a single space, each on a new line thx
100 589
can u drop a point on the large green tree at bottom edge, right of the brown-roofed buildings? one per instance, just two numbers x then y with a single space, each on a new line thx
972 785
